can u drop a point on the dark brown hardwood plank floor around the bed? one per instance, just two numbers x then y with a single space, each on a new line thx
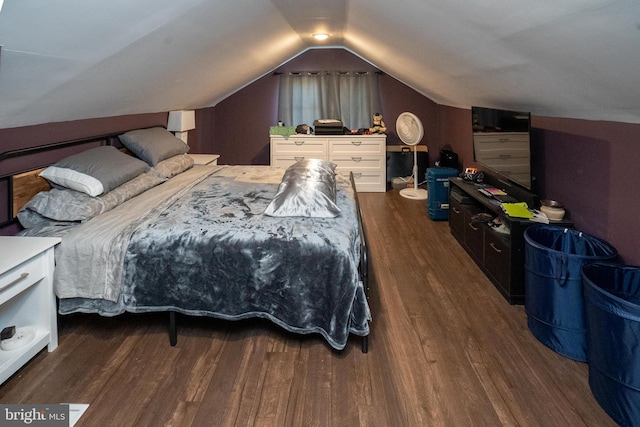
445 350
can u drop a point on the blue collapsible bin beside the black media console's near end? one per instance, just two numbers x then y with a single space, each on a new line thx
554 303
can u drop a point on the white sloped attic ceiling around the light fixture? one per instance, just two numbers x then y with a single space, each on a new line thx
85 58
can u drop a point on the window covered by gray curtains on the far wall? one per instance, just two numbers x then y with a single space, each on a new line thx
348 96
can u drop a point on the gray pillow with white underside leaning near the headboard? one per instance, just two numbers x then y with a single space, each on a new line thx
95 171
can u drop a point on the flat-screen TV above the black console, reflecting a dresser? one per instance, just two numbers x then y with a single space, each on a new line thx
501 143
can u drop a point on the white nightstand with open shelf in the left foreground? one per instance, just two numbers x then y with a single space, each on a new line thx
26 297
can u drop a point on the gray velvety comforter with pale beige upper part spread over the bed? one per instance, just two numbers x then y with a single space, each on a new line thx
200 244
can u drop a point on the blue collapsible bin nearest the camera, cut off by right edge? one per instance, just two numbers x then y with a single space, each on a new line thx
612 311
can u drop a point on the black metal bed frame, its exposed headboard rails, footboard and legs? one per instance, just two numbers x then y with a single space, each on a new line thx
110 139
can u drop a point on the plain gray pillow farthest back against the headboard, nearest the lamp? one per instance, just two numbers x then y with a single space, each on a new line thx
153 145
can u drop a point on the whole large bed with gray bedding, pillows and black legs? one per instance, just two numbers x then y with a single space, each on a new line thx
230 242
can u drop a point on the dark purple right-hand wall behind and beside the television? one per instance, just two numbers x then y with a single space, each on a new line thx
588 165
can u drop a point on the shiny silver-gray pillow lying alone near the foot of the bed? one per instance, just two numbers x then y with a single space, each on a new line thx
308 189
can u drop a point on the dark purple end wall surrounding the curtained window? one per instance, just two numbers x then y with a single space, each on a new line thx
238 127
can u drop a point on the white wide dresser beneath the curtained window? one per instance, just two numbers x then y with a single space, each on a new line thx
364 155
